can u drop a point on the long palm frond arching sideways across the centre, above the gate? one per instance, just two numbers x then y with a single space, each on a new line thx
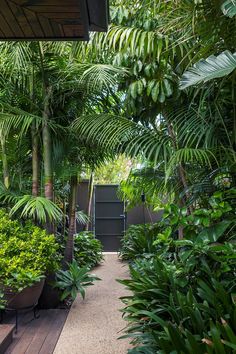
118 134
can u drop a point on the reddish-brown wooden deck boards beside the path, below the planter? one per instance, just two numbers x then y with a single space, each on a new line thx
36 336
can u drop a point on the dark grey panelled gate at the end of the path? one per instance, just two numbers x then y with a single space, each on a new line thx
109 218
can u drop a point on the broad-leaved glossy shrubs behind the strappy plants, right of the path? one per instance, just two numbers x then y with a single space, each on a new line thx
204 226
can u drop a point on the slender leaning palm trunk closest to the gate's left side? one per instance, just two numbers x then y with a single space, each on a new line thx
69 250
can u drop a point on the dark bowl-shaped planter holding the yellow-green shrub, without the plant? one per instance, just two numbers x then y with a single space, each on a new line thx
26 298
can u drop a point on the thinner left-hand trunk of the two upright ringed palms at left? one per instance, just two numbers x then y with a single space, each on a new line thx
35 161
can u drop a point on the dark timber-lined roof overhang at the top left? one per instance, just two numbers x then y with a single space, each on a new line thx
50 19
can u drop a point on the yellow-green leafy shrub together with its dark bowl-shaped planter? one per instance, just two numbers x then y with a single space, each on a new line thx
27 254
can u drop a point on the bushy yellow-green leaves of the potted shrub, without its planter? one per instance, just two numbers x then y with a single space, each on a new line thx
26 254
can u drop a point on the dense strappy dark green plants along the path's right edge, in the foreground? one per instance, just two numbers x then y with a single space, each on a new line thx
174 308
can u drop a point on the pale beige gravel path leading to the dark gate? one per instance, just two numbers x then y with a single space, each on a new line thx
93 325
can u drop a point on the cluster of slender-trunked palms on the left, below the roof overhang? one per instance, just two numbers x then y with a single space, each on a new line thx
61 89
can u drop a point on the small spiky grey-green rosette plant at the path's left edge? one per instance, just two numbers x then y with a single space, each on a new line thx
74 281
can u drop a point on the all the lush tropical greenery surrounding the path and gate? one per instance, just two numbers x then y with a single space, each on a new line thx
159 88
